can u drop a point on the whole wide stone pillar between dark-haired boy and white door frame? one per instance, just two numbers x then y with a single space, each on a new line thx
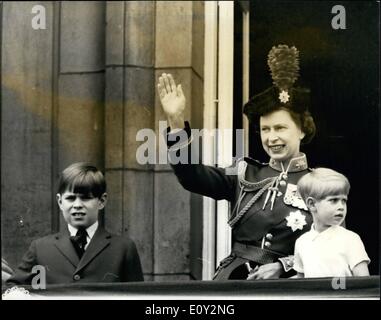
144 39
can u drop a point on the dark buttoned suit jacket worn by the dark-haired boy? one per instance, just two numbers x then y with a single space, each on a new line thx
108 258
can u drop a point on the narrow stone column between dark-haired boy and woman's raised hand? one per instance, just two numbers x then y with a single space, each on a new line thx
129 108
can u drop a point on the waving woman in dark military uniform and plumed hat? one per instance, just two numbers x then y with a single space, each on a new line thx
268 214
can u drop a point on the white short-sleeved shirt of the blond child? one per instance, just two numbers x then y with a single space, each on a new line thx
331 253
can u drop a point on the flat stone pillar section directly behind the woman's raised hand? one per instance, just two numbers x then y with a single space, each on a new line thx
179 25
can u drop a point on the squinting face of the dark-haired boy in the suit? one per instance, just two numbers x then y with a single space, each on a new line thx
80 210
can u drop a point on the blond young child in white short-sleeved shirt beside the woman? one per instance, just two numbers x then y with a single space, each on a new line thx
328 250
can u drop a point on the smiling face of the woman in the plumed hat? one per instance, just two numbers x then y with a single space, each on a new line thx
280 135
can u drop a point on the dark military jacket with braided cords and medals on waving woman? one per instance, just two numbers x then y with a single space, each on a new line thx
272 226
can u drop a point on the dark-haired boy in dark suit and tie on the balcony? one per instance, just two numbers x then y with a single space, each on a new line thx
84 251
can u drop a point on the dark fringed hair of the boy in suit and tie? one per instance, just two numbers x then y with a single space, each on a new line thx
82 178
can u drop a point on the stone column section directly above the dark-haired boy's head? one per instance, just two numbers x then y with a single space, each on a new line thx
81 83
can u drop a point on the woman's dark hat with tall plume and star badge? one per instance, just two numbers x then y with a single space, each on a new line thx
284 66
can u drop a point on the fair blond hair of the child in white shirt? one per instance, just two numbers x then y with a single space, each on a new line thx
323 182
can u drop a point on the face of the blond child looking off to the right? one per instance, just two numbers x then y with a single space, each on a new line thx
330 211
